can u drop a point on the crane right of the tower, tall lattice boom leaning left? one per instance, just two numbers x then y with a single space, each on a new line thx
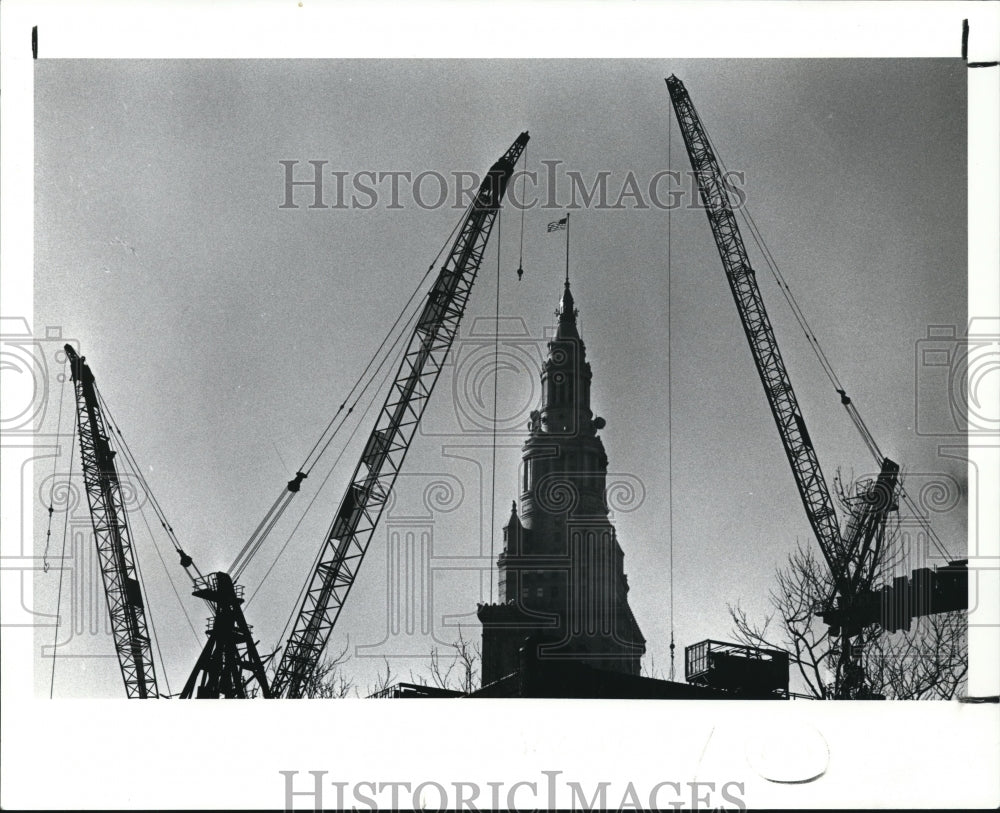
853 558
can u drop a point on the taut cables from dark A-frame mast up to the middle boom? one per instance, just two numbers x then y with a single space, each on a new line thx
278 507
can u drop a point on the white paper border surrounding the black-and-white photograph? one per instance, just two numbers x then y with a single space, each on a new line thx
93 754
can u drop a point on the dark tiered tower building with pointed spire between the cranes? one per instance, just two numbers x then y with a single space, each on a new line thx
563 590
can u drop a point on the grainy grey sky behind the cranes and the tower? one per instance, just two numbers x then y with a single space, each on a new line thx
224 330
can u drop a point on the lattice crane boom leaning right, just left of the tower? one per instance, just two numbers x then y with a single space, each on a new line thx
347 539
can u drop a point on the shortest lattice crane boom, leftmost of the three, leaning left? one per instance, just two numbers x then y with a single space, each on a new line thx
112 536
